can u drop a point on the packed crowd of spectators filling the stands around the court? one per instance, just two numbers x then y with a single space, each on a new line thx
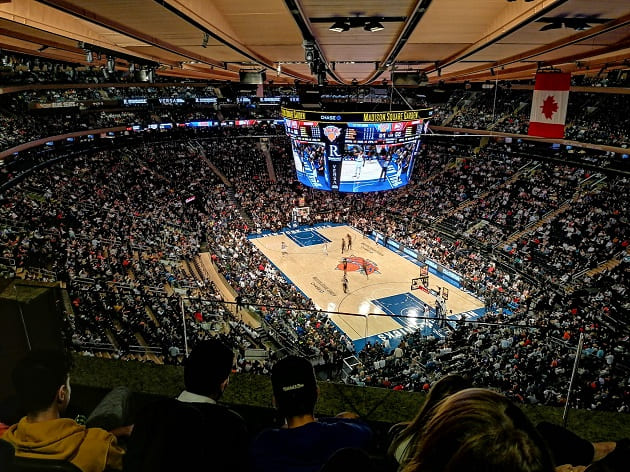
121 229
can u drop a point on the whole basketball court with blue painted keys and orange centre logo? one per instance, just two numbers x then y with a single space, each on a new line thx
379 282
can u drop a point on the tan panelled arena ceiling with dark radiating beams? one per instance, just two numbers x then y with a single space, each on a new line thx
450 40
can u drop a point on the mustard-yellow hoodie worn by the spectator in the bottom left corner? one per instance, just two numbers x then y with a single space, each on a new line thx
90 449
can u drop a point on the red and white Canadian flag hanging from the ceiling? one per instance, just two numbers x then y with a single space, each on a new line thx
549 104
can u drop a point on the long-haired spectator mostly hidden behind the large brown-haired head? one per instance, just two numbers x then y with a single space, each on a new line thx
407 435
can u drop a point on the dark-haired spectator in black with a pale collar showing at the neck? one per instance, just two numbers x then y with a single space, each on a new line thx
192 430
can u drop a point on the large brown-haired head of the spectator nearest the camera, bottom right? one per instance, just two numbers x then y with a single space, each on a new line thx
479 430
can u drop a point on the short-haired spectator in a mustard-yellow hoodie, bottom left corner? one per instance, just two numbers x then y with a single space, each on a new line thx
42 384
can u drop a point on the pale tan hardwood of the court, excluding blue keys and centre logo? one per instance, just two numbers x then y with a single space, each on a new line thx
316 273
